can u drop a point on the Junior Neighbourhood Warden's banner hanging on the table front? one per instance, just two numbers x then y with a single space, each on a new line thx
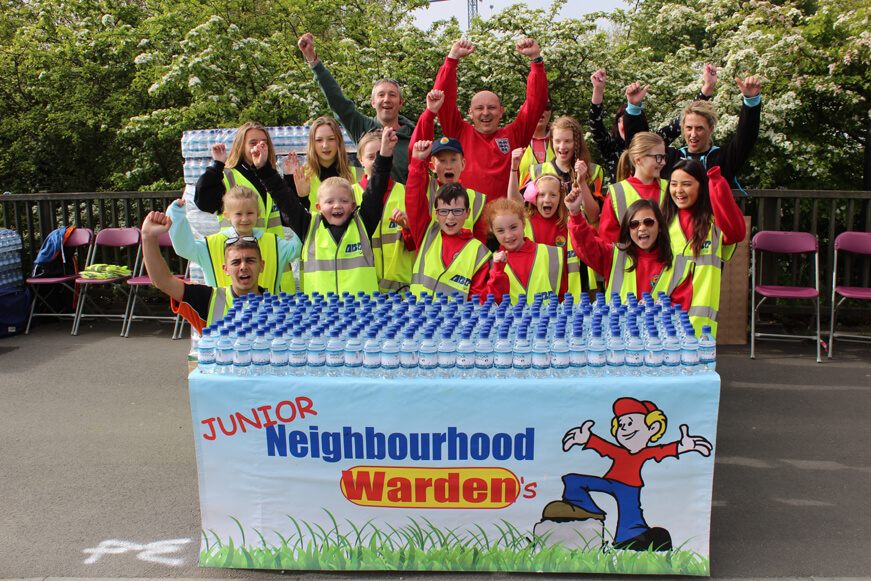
606 474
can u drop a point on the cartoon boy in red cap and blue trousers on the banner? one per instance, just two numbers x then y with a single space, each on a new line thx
636 426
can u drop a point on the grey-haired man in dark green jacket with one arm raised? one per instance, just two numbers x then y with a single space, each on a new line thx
386 99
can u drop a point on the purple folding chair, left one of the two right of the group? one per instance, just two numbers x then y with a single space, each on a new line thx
784 243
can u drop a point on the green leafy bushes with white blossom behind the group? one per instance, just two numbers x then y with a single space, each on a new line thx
97 93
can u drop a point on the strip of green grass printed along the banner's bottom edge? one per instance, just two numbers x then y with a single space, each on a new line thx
422 546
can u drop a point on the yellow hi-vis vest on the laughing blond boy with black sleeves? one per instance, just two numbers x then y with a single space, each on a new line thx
346 266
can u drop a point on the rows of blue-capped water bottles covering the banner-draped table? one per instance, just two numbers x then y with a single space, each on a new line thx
395 336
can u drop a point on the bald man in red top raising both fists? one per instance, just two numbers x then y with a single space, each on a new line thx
488 146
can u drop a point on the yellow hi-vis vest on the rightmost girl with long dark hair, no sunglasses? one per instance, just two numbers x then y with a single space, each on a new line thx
707 273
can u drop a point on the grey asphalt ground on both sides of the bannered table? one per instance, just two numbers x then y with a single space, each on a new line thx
98 470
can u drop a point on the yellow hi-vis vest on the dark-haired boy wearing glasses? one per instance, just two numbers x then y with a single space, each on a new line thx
431 274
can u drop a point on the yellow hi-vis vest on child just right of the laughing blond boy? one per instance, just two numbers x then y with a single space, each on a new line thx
393 262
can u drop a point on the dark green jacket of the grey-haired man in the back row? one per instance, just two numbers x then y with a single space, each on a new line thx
356 124
